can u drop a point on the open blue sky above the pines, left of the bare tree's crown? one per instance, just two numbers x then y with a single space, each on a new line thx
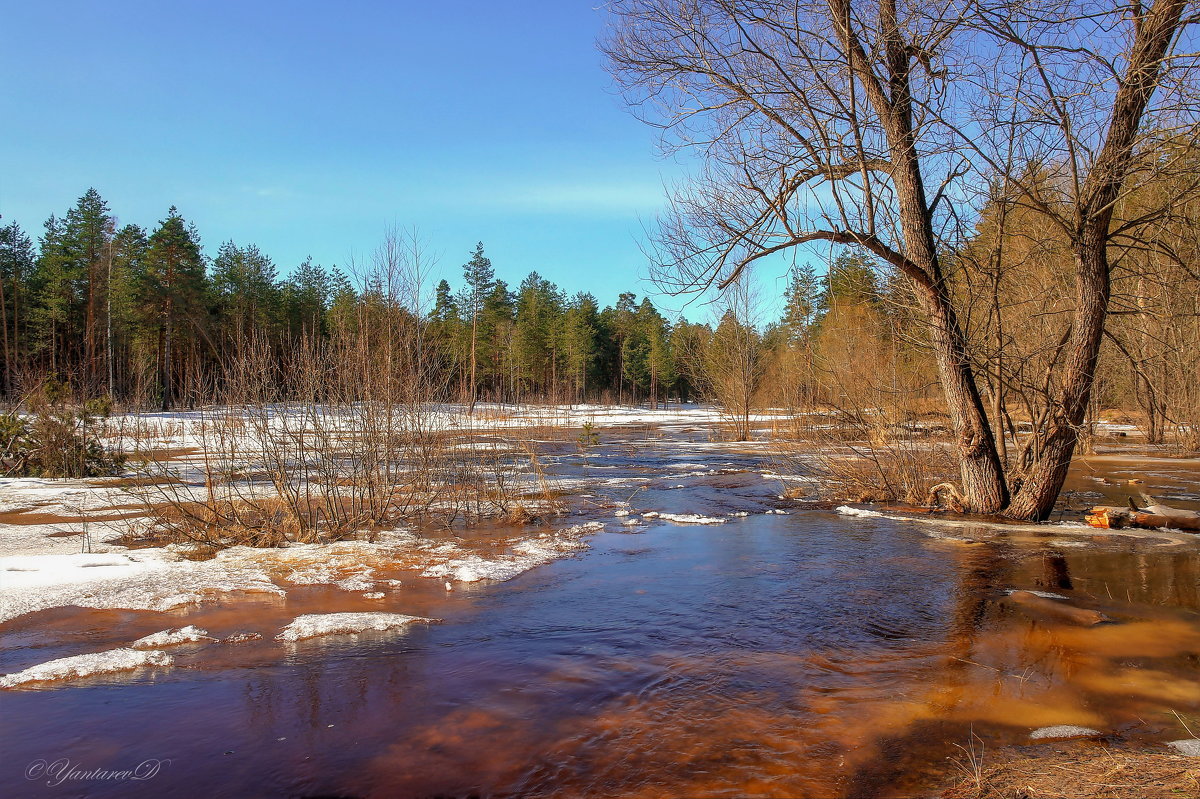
310 128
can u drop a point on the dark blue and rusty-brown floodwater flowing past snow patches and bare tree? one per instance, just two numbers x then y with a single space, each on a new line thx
799 654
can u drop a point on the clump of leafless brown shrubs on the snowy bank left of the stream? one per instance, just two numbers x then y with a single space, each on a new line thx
340 436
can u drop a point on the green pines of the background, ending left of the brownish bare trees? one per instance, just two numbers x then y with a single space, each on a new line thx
146 317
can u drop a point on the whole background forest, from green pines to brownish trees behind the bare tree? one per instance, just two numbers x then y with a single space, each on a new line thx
146 317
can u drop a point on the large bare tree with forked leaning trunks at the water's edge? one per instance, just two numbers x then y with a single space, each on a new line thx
871 124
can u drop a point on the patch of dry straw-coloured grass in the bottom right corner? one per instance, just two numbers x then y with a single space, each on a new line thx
1076 771
